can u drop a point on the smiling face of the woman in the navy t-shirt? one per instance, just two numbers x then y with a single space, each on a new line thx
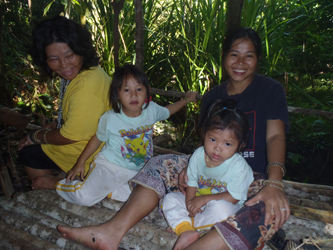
241 61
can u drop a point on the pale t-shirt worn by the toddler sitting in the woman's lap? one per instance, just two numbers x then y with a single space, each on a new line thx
233 175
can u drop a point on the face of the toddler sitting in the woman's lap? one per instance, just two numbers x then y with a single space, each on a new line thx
219 146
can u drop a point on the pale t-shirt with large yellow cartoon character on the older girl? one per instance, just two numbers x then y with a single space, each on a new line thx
129 140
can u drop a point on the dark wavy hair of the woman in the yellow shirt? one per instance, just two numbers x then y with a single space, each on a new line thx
62 30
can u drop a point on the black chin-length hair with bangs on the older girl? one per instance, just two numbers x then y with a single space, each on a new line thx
120 76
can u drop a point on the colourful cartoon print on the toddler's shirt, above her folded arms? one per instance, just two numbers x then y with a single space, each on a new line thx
210 186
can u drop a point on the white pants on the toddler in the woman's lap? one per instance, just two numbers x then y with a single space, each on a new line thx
175 211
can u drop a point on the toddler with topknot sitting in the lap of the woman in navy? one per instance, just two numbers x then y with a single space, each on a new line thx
218 176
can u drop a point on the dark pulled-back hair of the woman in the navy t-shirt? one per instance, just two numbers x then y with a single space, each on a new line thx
243 32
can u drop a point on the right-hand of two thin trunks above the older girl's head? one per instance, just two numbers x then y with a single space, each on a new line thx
139 33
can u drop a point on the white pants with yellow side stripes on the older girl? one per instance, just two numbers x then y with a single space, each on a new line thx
103 178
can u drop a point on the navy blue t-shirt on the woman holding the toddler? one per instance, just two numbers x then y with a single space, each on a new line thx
264 99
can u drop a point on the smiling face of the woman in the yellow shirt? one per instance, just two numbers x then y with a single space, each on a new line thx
63 61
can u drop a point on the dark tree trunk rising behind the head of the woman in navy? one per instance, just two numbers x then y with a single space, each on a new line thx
233 22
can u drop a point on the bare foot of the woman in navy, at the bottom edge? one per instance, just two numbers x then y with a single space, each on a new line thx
95 237
